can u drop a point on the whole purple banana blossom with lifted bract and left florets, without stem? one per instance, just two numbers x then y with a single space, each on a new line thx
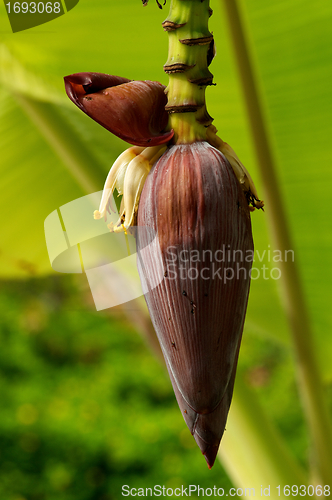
195 205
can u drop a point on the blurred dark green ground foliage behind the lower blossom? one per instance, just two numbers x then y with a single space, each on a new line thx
86 408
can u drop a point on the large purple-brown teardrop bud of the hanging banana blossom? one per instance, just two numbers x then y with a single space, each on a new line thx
203 250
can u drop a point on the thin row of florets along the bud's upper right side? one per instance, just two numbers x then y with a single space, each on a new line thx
240 171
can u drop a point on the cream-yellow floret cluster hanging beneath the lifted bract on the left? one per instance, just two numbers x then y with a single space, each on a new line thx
127 175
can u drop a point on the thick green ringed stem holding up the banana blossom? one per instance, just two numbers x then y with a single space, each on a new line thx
190 52
